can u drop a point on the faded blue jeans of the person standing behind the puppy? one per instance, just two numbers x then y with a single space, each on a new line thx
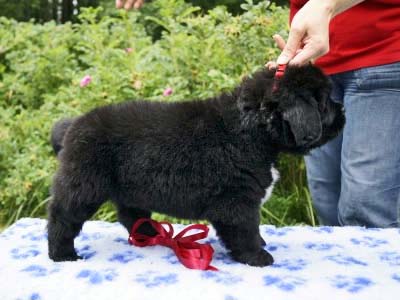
355 179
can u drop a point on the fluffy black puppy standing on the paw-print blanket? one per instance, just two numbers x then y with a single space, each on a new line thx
210 159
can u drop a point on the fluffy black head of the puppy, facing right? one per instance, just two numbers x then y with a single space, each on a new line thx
299 115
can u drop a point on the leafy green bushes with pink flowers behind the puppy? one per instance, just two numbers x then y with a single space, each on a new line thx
197 55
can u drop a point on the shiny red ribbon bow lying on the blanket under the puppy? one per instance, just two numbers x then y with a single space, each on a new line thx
190 253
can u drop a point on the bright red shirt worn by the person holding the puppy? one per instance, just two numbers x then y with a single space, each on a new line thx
365 35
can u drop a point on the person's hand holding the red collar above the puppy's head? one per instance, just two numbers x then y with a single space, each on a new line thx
309 34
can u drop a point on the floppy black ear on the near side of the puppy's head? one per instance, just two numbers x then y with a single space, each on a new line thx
304 133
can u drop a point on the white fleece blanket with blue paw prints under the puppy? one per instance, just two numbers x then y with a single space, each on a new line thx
310 263
